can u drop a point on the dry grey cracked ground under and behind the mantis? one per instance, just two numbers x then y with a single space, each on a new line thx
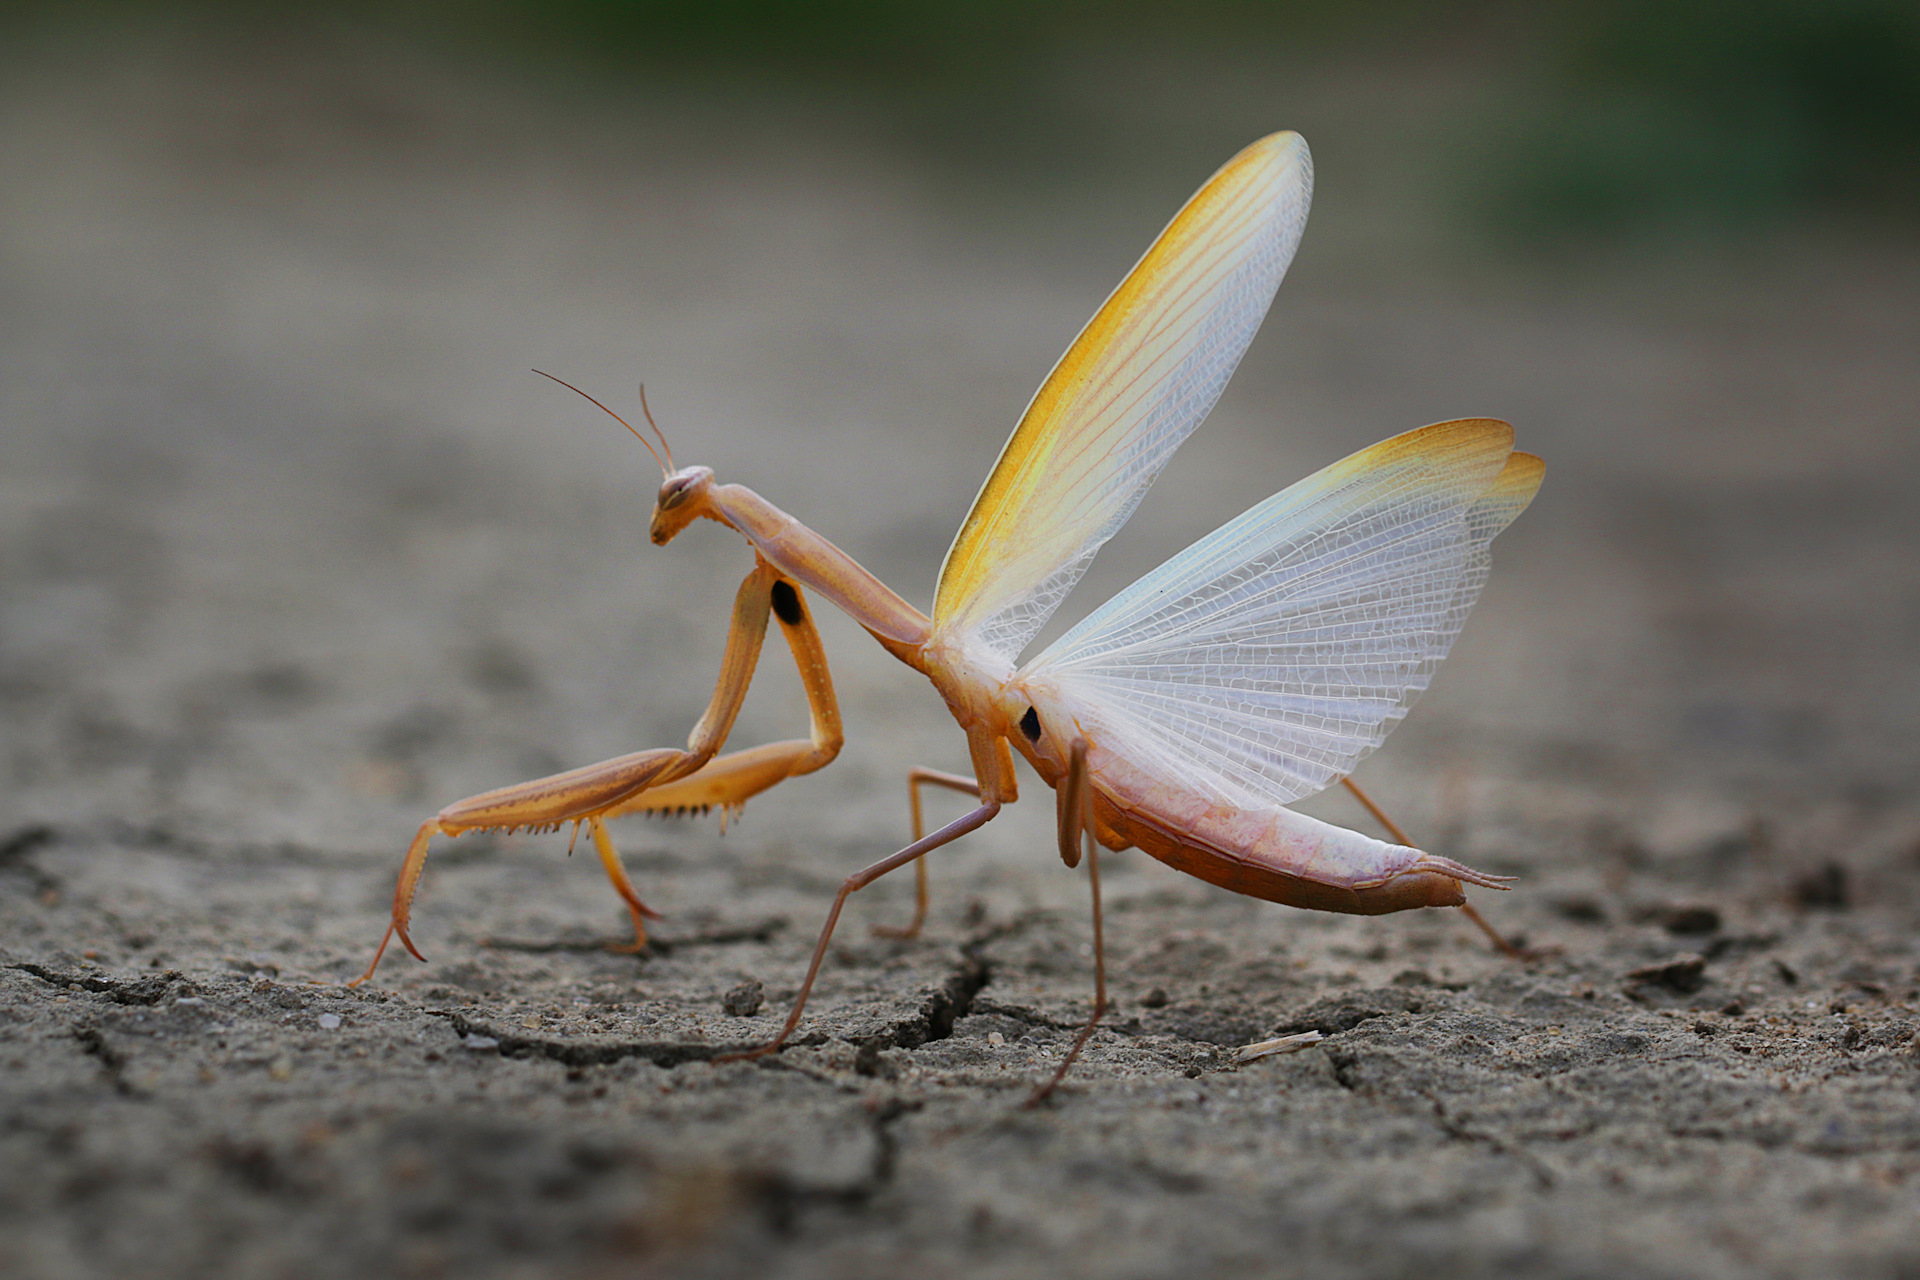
295 552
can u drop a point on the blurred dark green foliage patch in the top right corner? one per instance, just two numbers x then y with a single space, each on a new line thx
1716 114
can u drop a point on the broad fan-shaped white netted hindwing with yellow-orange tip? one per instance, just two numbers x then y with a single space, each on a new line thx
1268 659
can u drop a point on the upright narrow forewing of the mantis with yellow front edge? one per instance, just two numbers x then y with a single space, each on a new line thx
1136 383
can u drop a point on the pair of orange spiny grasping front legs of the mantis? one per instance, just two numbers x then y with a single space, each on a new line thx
660 778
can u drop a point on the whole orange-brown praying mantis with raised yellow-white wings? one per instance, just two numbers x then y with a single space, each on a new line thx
1189 711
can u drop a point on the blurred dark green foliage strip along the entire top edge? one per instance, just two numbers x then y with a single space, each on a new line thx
1602 118
